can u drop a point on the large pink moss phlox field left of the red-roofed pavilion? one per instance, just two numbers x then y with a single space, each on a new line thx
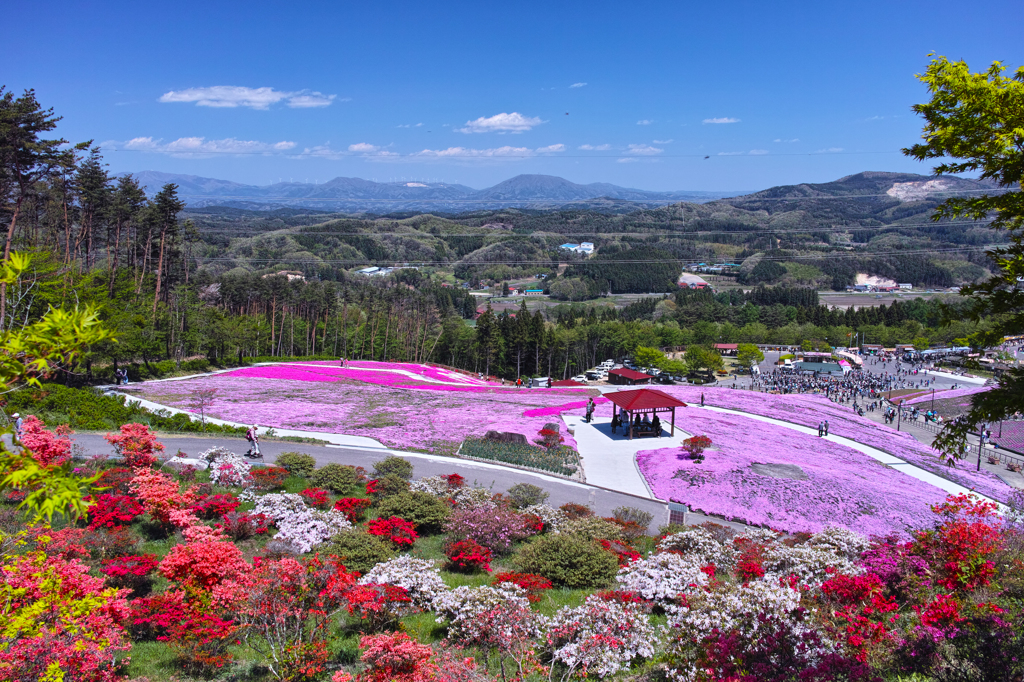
433 418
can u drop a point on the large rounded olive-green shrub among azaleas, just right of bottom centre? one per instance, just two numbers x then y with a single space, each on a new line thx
569 562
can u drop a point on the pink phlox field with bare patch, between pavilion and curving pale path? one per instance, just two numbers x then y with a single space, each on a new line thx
843 487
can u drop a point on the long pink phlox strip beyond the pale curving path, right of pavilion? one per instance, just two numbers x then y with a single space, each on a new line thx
807 410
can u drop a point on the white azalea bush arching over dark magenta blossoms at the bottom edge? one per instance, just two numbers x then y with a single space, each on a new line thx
737 610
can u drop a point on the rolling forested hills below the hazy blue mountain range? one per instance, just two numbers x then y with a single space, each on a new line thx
810 235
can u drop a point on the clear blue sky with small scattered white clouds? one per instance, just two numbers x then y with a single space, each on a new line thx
631 94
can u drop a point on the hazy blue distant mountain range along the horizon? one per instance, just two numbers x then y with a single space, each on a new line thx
353 195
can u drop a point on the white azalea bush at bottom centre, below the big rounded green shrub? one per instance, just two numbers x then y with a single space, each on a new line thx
601 637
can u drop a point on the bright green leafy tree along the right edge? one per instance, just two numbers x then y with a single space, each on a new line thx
974 123
